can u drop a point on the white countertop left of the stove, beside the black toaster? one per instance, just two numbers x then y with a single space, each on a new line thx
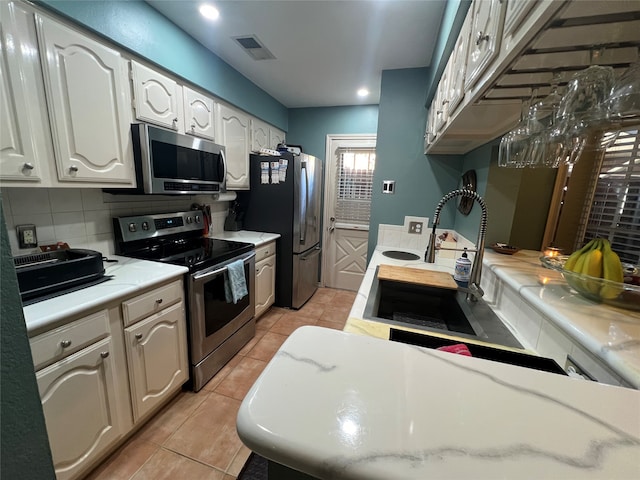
128 276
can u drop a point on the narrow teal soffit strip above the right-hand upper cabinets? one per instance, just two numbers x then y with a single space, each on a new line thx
454 14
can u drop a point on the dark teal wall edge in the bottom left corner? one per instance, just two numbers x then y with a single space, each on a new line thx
24 448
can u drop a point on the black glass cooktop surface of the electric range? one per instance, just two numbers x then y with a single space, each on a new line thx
194 253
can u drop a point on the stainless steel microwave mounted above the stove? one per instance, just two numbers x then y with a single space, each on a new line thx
170 163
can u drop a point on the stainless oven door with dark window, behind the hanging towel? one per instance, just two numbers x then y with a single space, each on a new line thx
212 320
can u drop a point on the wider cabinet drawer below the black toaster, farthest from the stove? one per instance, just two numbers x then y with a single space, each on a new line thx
63 341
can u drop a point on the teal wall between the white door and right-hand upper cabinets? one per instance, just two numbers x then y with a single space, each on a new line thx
421 181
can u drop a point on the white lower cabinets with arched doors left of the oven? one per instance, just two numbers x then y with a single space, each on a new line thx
97 379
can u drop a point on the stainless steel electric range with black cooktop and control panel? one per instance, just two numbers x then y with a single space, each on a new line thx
217 329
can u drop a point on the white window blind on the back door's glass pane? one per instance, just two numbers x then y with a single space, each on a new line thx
354 185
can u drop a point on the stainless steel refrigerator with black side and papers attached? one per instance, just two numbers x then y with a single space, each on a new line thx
288 201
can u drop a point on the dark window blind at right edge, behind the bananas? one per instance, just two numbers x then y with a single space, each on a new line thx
615 210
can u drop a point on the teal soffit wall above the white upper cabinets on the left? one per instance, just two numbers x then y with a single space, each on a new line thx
136 26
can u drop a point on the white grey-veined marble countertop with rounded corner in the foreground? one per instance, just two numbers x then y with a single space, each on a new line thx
337 405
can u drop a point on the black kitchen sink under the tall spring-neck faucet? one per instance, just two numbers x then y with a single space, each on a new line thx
434 309
